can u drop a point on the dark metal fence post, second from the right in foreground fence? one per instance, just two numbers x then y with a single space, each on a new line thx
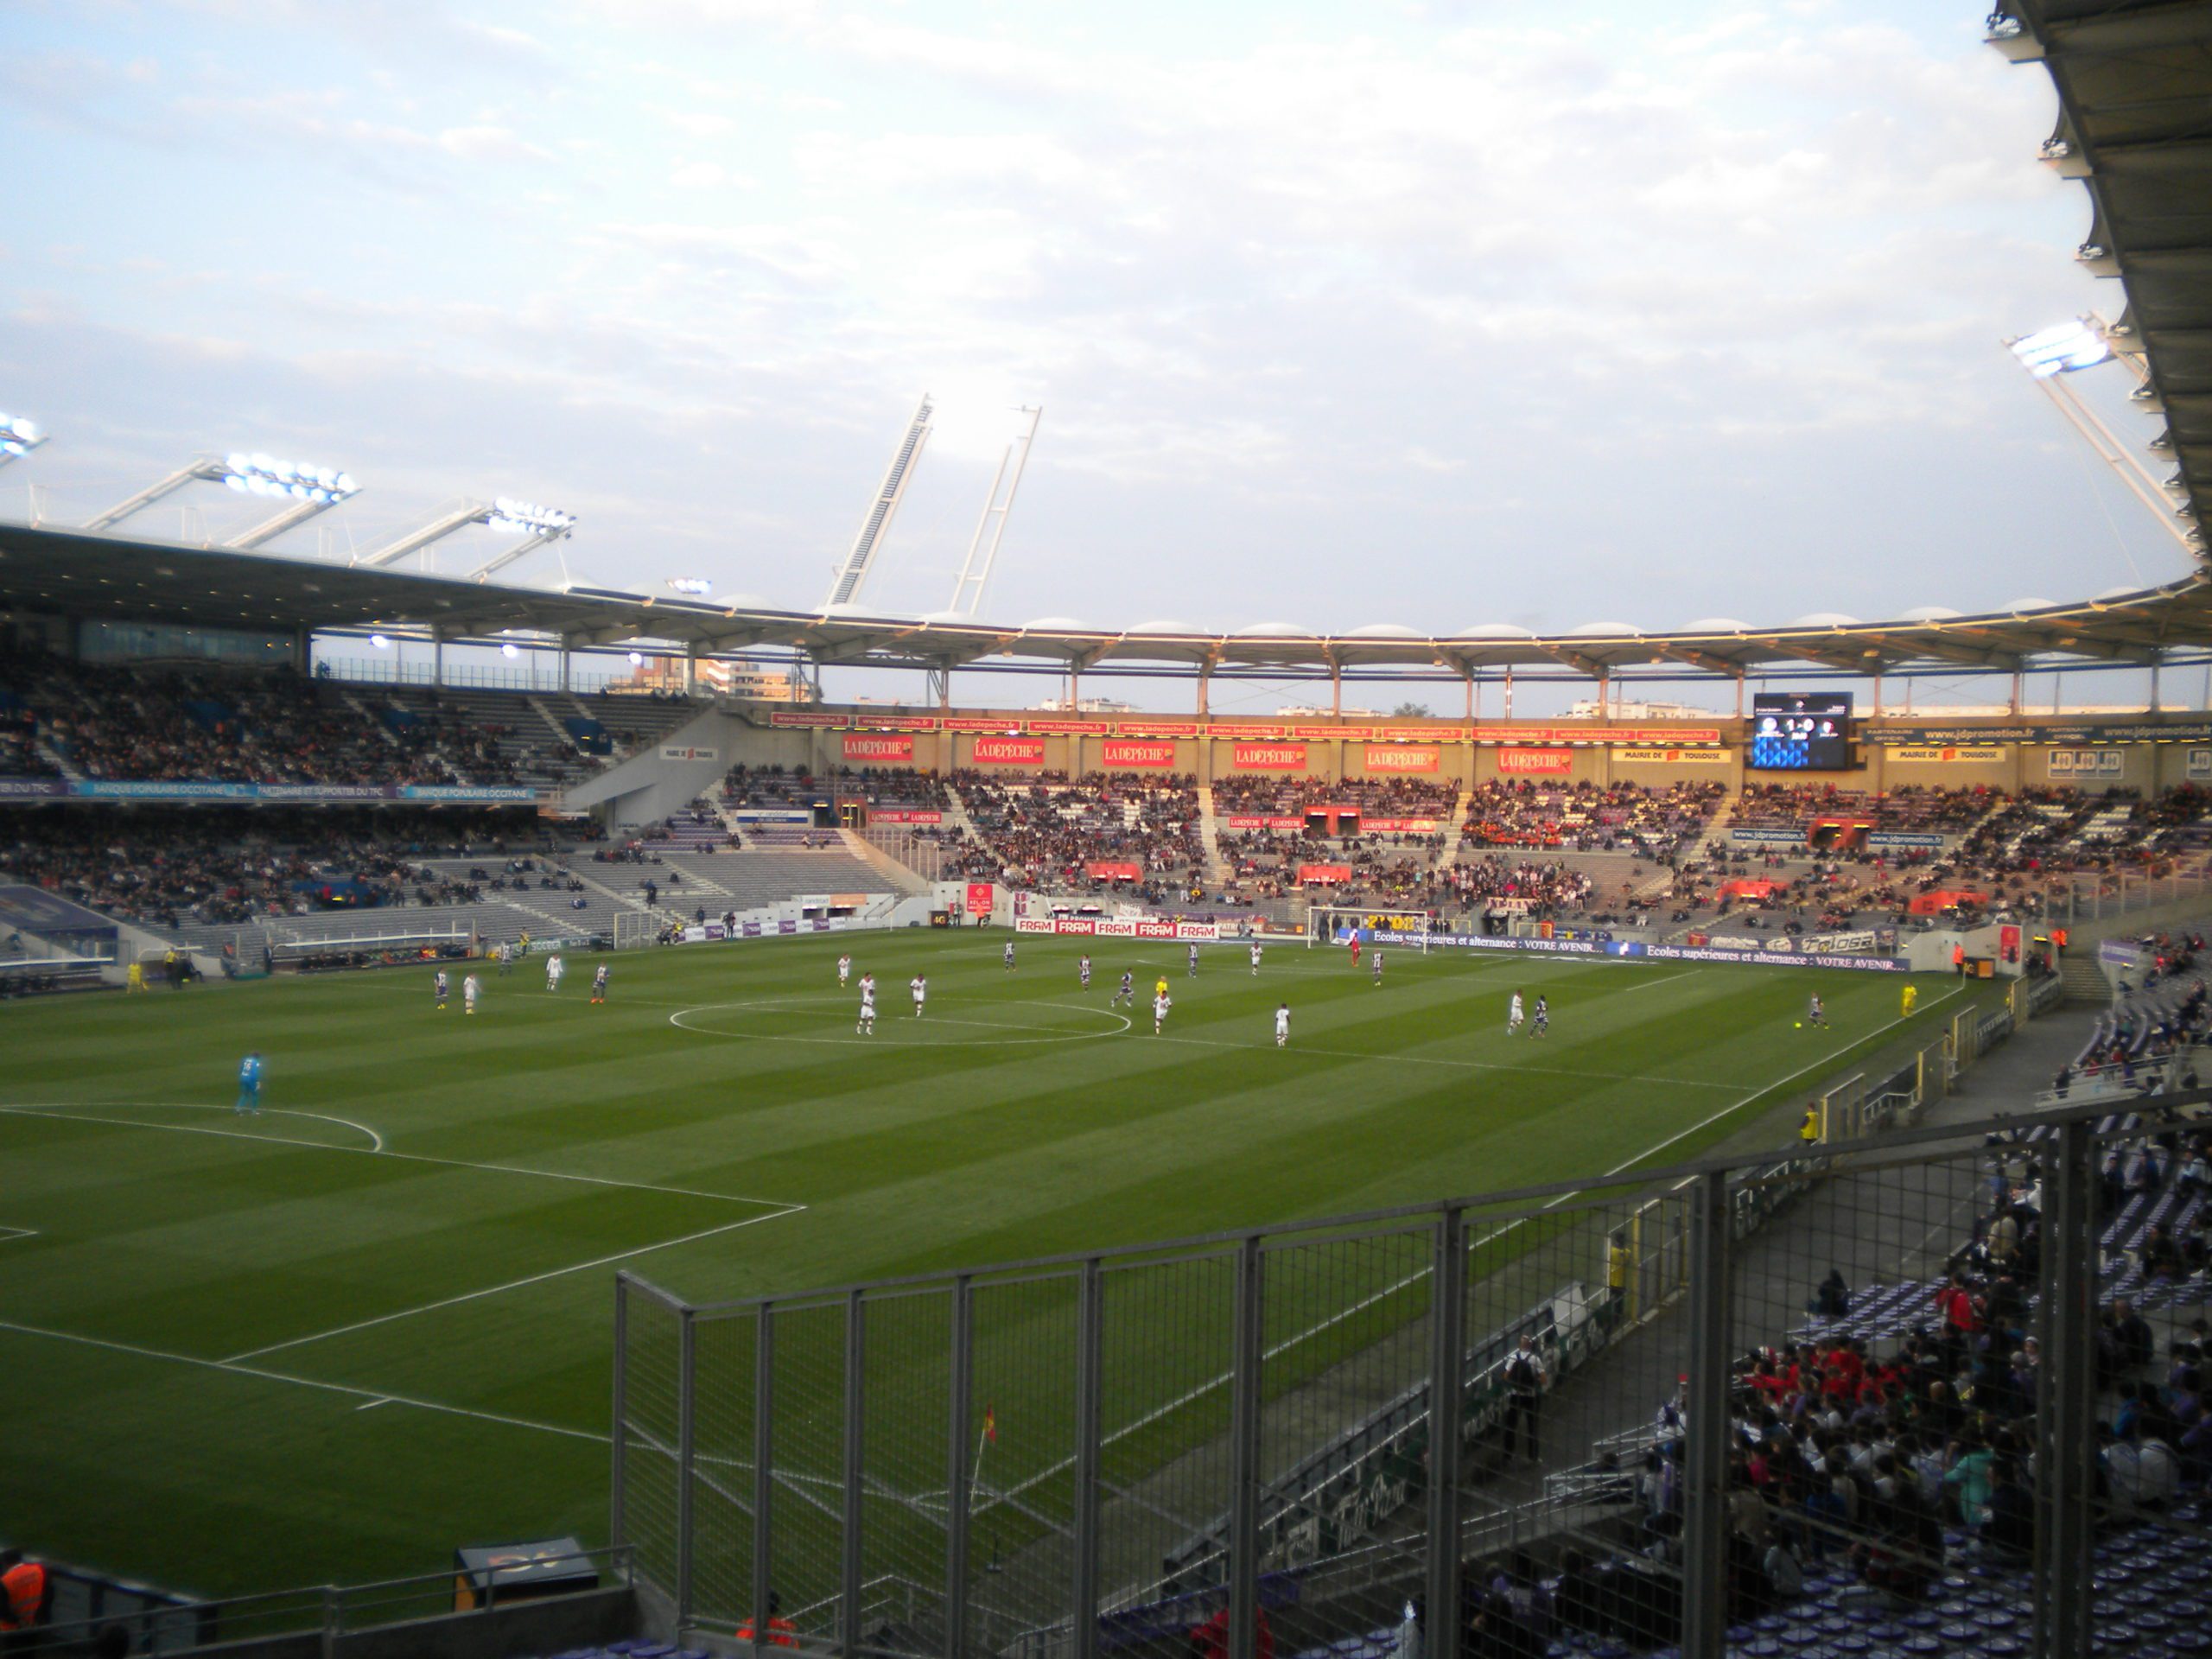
1704 1603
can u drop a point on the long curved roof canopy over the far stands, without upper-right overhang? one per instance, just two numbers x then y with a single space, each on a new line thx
112 578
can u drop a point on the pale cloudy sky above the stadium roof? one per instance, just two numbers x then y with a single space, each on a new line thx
1430 313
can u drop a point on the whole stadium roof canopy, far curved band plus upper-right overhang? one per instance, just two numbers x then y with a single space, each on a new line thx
2136 127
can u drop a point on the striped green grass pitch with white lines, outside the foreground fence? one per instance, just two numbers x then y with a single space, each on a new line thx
373 1324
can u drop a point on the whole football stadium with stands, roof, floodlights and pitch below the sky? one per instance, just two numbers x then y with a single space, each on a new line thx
567 1118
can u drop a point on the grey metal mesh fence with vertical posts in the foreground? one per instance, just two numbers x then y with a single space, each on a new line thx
1229 1441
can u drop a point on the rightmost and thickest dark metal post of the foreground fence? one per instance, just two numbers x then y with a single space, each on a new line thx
2067 1412
